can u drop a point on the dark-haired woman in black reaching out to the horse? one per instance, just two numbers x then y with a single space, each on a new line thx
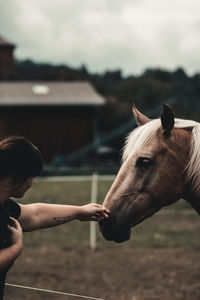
20 163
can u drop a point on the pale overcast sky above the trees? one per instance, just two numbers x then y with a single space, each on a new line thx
105 34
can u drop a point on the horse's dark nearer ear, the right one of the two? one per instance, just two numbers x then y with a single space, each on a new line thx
167 119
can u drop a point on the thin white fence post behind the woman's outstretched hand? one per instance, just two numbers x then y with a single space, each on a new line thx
94 192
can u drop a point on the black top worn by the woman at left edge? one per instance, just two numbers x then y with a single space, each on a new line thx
7 209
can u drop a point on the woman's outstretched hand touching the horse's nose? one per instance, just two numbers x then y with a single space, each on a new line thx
93 212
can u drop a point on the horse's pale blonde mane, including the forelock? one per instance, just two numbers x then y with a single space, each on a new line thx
143 135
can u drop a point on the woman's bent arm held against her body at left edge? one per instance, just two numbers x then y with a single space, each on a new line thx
8 255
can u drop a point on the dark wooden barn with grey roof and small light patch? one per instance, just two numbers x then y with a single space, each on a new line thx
58 117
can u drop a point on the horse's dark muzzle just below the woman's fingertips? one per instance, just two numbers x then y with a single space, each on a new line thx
112 231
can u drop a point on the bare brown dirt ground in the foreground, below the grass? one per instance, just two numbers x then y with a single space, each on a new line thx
115 274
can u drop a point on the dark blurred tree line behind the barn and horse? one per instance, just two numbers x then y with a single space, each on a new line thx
148 90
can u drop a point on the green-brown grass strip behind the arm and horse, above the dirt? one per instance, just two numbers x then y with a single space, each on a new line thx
171 227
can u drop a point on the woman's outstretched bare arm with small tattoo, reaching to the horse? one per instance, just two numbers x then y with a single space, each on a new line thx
41 215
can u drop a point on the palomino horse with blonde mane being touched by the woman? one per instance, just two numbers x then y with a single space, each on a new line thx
160 165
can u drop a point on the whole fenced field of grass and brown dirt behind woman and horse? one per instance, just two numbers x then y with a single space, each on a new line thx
161 261
